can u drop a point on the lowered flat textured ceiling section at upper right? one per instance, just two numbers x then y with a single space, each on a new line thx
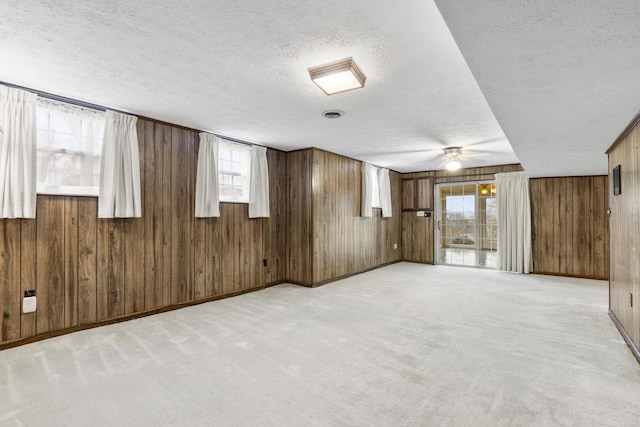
562 77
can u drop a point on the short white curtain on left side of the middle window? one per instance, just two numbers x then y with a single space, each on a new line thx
207 188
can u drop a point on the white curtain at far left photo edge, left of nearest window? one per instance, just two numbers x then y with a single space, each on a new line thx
17 153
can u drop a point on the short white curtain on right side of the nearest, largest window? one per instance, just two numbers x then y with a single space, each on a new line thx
119 168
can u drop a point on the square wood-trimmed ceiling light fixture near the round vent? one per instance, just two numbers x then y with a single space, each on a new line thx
338 76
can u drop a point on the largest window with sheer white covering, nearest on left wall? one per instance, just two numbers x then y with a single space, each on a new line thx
69 146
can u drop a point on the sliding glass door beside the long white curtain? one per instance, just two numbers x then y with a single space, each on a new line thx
467 224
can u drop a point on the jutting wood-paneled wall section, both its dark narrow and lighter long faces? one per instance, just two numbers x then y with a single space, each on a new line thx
328 237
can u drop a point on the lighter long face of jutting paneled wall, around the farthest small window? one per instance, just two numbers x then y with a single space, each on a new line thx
343 242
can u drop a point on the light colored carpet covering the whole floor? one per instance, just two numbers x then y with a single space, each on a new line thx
405 345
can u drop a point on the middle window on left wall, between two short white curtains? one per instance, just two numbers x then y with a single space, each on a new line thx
234 169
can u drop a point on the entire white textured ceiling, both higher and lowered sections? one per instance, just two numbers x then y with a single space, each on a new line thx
561 77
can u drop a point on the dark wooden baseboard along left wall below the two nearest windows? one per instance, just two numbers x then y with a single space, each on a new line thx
53 334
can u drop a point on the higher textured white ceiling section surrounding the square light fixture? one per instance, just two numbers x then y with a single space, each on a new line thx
239 69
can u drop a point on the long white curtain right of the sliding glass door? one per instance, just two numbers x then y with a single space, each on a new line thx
514 222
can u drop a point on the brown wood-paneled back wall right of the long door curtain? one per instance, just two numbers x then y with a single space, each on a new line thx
570 227
